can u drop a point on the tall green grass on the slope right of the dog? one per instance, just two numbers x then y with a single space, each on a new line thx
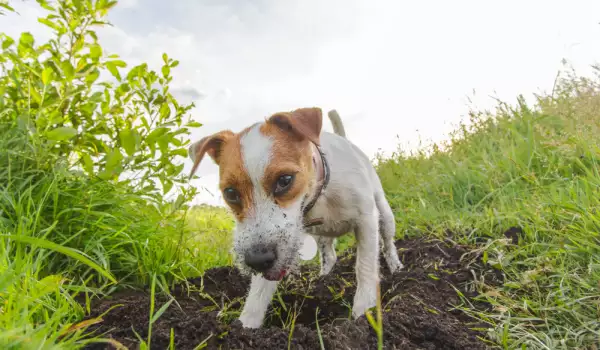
531 167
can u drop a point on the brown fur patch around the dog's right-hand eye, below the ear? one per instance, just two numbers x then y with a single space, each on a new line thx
290 156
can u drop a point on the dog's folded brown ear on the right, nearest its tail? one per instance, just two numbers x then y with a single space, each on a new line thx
303 122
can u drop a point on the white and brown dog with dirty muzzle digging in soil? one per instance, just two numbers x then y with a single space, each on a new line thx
284 178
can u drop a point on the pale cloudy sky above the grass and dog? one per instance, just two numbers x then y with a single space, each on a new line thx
396 71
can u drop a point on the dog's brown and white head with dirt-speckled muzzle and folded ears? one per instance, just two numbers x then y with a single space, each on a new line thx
266 173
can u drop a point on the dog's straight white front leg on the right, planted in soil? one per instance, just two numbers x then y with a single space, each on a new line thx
367 264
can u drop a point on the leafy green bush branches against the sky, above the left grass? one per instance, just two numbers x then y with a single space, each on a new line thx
96 113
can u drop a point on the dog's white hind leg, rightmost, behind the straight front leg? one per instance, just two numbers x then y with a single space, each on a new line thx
387 229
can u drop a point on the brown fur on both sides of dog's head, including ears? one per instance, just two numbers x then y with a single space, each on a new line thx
292 133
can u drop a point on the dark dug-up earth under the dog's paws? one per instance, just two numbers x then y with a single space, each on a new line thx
420 307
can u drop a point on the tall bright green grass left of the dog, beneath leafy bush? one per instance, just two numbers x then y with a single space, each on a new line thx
63 234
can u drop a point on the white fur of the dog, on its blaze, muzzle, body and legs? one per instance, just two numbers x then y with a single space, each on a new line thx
353 201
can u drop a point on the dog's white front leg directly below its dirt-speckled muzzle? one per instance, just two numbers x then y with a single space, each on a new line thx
257 301
